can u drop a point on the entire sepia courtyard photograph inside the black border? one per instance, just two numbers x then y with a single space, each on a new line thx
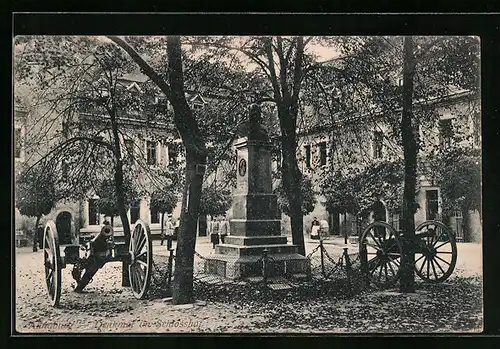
247 184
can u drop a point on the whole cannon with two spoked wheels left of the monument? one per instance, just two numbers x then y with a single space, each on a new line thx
90 253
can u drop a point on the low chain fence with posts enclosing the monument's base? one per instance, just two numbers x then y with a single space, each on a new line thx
325 276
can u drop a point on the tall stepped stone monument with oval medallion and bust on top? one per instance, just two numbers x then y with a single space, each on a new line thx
255 225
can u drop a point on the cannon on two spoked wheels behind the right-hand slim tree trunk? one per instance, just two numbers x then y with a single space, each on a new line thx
381 250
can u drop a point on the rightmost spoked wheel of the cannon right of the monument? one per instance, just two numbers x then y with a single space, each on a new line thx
437 254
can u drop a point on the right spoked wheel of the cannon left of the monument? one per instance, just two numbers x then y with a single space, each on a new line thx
141 259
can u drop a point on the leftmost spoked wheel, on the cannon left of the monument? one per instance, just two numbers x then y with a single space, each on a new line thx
52 262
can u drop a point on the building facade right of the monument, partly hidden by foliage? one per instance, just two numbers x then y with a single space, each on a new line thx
369 143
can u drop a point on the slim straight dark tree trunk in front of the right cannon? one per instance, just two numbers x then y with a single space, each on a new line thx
407 278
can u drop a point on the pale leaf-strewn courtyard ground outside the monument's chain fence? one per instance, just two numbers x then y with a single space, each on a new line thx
106 307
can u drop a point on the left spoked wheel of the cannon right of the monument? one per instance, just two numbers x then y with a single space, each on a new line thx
380 251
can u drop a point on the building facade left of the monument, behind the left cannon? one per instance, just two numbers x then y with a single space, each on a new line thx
151 147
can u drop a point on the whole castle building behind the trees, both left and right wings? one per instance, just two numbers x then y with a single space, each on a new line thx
321 147
